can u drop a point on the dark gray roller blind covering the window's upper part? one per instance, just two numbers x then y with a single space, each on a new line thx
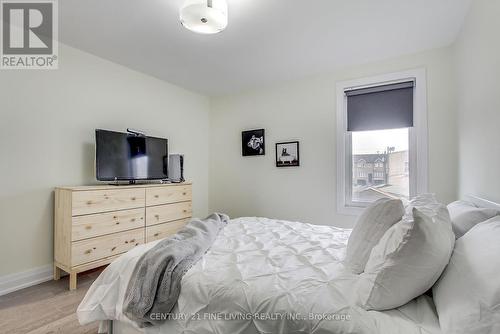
380 107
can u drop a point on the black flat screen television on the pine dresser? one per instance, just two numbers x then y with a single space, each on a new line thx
129 157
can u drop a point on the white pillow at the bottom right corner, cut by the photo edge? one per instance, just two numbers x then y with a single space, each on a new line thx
467 296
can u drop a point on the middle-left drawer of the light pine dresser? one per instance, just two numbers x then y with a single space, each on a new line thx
89 226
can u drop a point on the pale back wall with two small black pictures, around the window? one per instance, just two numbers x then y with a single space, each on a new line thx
305 110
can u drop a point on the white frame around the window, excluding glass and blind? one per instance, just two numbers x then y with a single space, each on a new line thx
418 137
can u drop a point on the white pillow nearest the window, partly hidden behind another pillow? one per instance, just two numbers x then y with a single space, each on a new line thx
370 227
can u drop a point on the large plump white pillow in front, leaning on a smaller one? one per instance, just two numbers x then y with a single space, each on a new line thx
407 261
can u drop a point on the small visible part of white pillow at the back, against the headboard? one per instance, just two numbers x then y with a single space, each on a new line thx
465 215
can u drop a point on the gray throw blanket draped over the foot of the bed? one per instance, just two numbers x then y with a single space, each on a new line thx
155 284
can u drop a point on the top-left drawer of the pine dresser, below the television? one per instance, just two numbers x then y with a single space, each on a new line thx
94 201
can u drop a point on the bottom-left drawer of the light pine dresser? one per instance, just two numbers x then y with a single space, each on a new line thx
101 247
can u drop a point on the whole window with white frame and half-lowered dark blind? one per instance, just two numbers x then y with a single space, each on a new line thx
381 139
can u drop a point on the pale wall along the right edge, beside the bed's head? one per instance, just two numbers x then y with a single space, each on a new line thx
478 100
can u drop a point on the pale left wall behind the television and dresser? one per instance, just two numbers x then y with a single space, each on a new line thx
47 122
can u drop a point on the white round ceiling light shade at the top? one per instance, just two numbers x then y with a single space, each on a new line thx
204 16
